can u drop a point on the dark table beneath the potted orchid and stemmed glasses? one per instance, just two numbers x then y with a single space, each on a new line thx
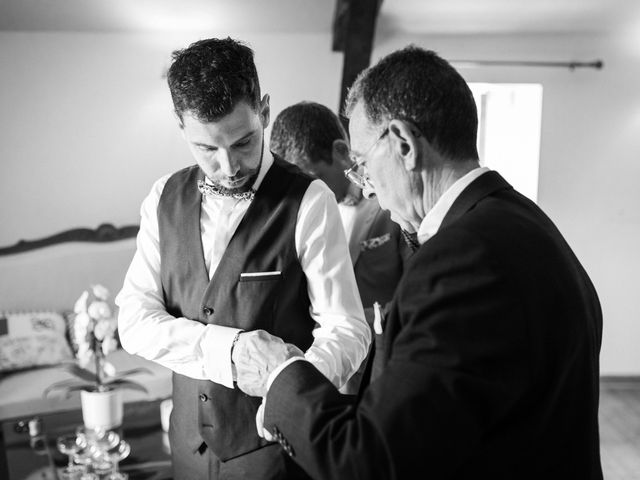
29 444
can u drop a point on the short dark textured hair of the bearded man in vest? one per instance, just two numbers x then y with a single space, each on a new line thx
210 77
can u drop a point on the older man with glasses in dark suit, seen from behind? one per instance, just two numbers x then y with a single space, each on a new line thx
490 367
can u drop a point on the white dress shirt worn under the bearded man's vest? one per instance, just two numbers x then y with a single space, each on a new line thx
190 348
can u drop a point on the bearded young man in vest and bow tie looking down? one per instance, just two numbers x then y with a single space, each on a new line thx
239 241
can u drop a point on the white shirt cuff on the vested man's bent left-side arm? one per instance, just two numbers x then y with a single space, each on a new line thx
216 353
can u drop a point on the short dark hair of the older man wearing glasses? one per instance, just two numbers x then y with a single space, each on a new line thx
418 86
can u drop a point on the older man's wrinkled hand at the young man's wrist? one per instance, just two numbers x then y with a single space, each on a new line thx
255 355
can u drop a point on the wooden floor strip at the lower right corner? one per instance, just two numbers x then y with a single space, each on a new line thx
620 428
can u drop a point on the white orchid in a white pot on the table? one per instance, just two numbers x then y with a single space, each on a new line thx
93 333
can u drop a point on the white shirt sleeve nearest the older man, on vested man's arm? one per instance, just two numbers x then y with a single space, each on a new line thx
342 337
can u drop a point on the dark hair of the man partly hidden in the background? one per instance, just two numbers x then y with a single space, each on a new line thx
305 132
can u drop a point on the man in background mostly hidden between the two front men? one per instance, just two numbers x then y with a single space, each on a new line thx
311 136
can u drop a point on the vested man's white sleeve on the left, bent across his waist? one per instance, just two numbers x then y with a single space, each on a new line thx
185 346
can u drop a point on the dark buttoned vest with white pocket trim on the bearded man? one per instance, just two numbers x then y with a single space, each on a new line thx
224 418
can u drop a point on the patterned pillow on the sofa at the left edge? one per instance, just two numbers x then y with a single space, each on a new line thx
32 339
